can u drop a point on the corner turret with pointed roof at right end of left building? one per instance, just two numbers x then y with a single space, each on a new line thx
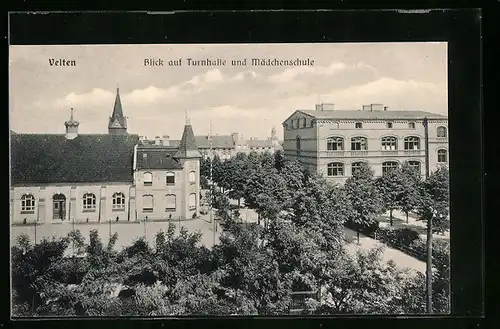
189 156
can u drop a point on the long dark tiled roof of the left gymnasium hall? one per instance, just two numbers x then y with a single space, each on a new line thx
51 158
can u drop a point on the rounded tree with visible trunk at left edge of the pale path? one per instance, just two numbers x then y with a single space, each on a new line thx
363 196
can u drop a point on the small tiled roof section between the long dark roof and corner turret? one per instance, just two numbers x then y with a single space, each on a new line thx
157 157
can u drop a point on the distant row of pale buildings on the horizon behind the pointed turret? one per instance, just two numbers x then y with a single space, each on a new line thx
224 146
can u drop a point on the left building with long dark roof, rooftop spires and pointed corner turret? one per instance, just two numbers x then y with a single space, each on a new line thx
77 177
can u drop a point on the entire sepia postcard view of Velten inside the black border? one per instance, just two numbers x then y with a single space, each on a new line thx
229 179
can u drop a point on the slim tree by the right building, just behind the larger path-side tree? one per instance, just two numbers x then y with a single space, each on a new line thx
390 188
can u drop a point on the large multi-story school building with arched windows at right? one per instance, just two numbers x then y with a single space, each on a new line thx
334 143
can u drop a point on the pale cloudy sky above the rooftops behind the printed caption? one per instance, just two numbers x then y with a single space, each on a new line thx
250 100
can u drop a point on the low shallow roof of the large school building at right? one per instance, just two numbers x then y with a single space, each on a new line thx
389 114
